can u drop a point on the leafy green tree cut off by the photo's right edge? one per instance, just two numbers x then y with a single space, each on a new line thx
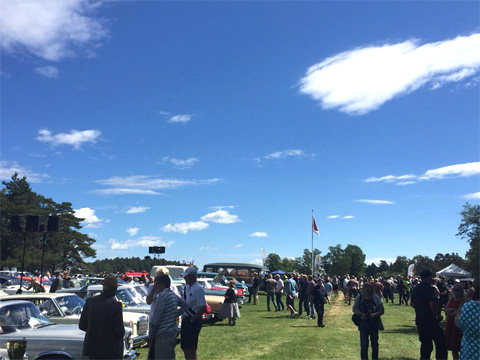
469 229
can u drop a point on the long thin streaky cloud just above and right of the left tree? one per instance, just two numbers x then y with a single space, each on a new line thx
145 184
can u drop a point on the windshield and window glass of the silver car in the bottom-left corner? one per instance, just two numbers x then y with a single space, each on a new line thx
20 316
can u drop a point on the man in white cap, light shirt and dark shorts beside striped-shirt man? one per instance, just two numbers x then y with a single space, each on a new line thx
194 295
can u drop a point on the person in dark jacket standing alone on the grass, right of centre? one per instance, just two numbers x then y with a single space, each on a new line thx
369 308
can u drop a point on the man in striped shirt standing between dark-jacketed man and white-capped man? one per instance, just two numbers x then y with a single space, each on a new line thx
163 325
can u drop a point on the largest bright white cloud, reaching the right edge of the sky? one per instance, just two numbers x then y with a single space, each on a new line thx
363 79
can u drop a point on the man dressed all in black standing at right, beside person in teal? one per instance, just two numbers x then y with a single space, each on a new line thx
427 317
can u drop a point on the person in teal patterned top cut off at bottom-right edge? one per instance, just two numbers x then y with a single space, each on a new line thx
467 319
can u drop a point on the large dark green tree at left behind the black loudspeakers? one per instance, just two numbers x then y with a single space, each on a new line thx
66 248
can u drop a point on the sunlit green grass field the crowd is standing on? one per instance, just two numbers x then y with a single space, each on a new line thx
273 335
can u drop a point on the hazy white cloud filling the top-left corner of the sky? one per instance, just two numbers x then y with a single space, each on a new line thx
50 29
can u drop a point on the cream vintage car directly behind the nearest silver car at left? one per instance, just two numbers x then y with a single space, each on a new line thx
65 308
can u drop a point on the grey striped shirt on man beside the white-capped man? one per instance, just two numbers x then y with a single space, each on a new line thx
166 313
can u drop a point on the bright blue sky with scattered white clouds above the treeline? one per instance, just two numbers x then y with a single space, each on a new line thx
215 128
